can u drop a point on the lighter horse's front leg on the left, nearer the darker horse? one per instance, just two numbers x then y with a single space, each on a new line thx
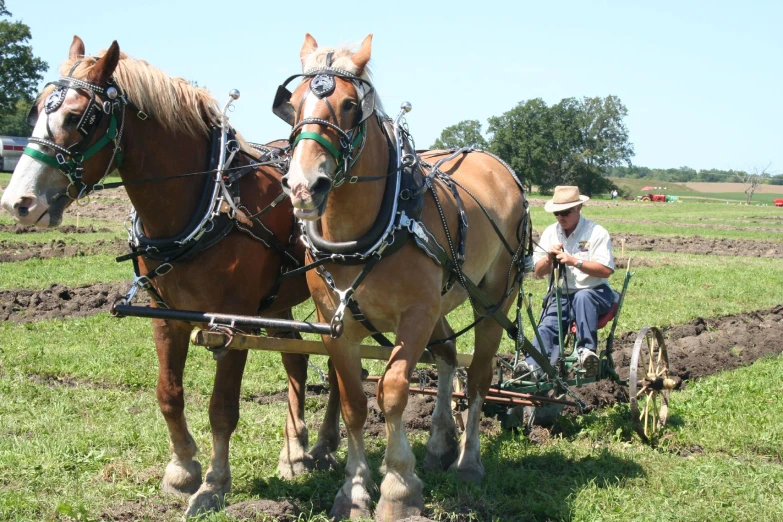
353 500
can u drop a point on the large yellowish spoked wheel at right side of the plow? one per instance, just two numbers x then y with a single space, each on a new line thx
649 384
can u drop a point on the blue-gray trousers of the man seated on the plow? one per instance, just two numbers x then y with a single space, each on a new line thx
588 305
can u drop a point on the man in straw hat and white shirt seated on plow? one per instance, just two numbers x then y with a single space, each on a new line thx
585 251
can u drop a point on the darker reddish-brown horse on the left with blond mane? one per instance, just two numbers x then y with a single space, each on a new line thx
164 132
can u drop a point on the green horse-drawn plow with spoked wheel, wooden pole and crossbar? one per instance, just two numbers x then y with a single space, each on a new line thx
516 400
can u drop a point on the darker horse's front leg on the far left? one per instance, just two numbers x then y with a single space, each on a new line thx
183 473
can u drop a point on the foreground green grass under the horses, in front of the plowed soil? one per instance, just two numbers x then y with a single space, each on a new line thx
74 452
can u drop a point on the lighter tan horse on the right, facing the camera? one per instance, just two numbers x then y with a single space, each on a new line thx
402 293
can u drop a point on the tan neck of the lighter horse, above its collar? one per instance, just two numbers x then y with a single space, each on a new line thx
351 209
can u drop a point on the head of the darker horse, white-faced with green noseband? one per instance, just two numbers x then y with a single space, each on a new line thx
73 141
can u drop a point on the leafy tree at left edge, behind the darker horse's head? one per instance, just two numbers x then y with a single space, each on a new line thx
20 71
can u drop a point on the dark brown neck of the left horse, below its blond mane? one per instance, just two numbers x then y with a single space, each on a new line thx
165 207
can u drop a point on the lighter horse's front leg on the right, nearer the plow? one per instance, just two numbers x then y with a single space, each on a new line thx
401 489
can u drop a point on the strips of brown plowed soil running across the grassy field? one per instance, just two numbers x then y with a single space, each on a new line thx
697 349
